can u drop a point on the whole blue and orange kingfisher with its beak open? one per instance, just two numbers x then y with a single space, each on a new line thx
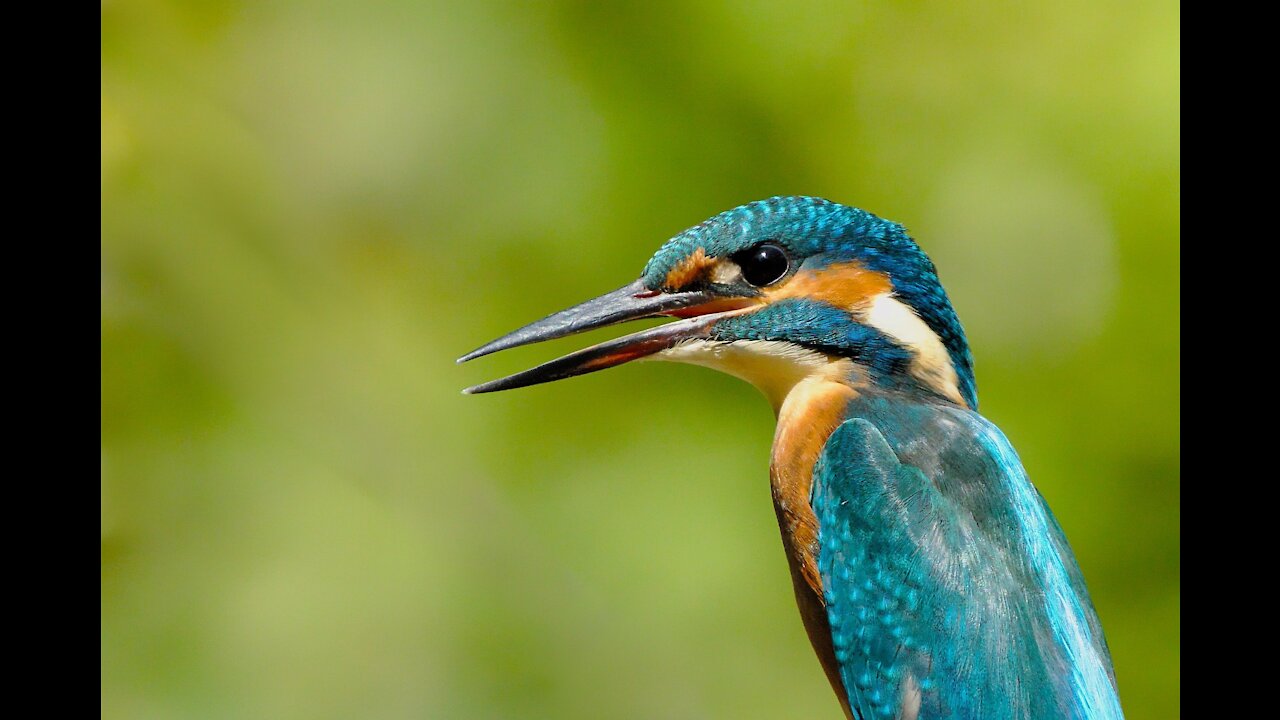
931 576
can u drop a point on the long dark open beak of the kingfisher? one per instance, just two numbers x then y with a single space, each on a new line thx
630 303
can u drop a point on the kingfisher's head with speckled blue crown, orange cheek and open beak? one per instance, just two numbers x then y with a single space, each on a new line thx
775 291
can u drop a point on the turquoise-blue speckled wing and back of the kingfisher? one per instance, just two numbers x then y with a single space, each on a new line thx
950 589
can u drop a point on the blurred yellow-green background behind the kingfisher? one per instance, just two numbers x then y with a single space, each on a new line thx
312 208
